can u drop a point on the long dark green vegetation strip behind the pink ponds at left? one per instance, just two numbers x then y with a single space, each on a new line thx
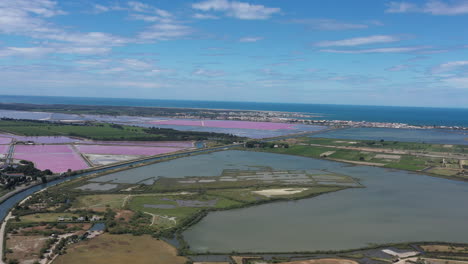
104 131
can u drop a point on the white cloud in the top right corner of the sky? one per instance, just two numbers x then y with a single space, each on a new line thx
433 7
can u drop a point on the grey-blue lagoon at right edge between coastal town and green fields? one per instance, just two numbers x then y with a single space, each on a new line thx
435 136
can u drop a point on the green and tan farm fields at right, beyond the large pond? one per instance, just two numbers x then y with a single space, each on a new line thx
436 159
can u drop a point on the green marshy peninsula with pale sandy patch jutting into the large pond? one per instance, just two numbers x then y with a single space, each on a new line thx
160 210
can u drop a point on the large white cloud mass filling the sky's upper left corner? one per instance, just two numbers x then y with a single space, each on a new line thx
29 18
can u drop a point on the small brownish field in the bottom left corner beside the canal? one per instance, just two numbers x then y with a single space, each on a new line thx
25 248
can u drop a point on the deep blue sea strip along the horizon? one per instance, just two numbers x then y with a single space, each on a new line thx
392 114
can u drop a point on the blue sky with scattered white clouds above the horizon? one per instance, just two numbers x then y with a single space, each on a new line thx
338 52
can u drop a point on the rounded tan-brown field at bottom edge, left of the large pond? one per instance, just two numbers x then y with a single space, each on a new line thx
121 249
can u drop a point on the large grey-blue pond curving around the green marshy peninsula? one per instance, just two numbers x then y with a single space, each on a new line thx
396 206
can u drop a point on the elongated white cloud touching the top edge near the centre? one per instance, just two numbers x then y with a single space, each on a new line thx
240 10
